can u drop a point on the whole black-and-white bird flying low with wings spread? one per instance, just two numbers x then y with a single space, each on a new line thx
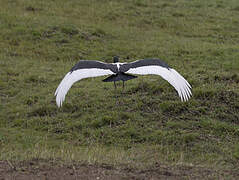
122 72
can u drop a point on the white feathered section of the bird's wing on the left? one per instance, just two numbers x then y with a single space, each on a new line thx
72 77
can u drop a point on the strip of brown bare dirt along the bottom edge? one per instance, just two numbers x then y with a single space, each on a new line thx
39 169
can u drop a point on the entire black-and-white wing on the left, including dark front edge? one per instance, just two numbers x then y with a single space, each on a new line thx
83 69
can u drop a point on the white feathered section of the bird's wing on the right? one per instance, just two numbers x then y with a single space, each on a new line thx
172 76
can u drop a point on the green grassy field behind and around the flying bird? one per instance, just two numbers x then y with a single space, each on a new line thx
144 124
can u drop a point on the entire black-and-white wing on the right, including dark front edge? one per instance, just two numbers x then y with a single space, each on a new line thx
158 67
